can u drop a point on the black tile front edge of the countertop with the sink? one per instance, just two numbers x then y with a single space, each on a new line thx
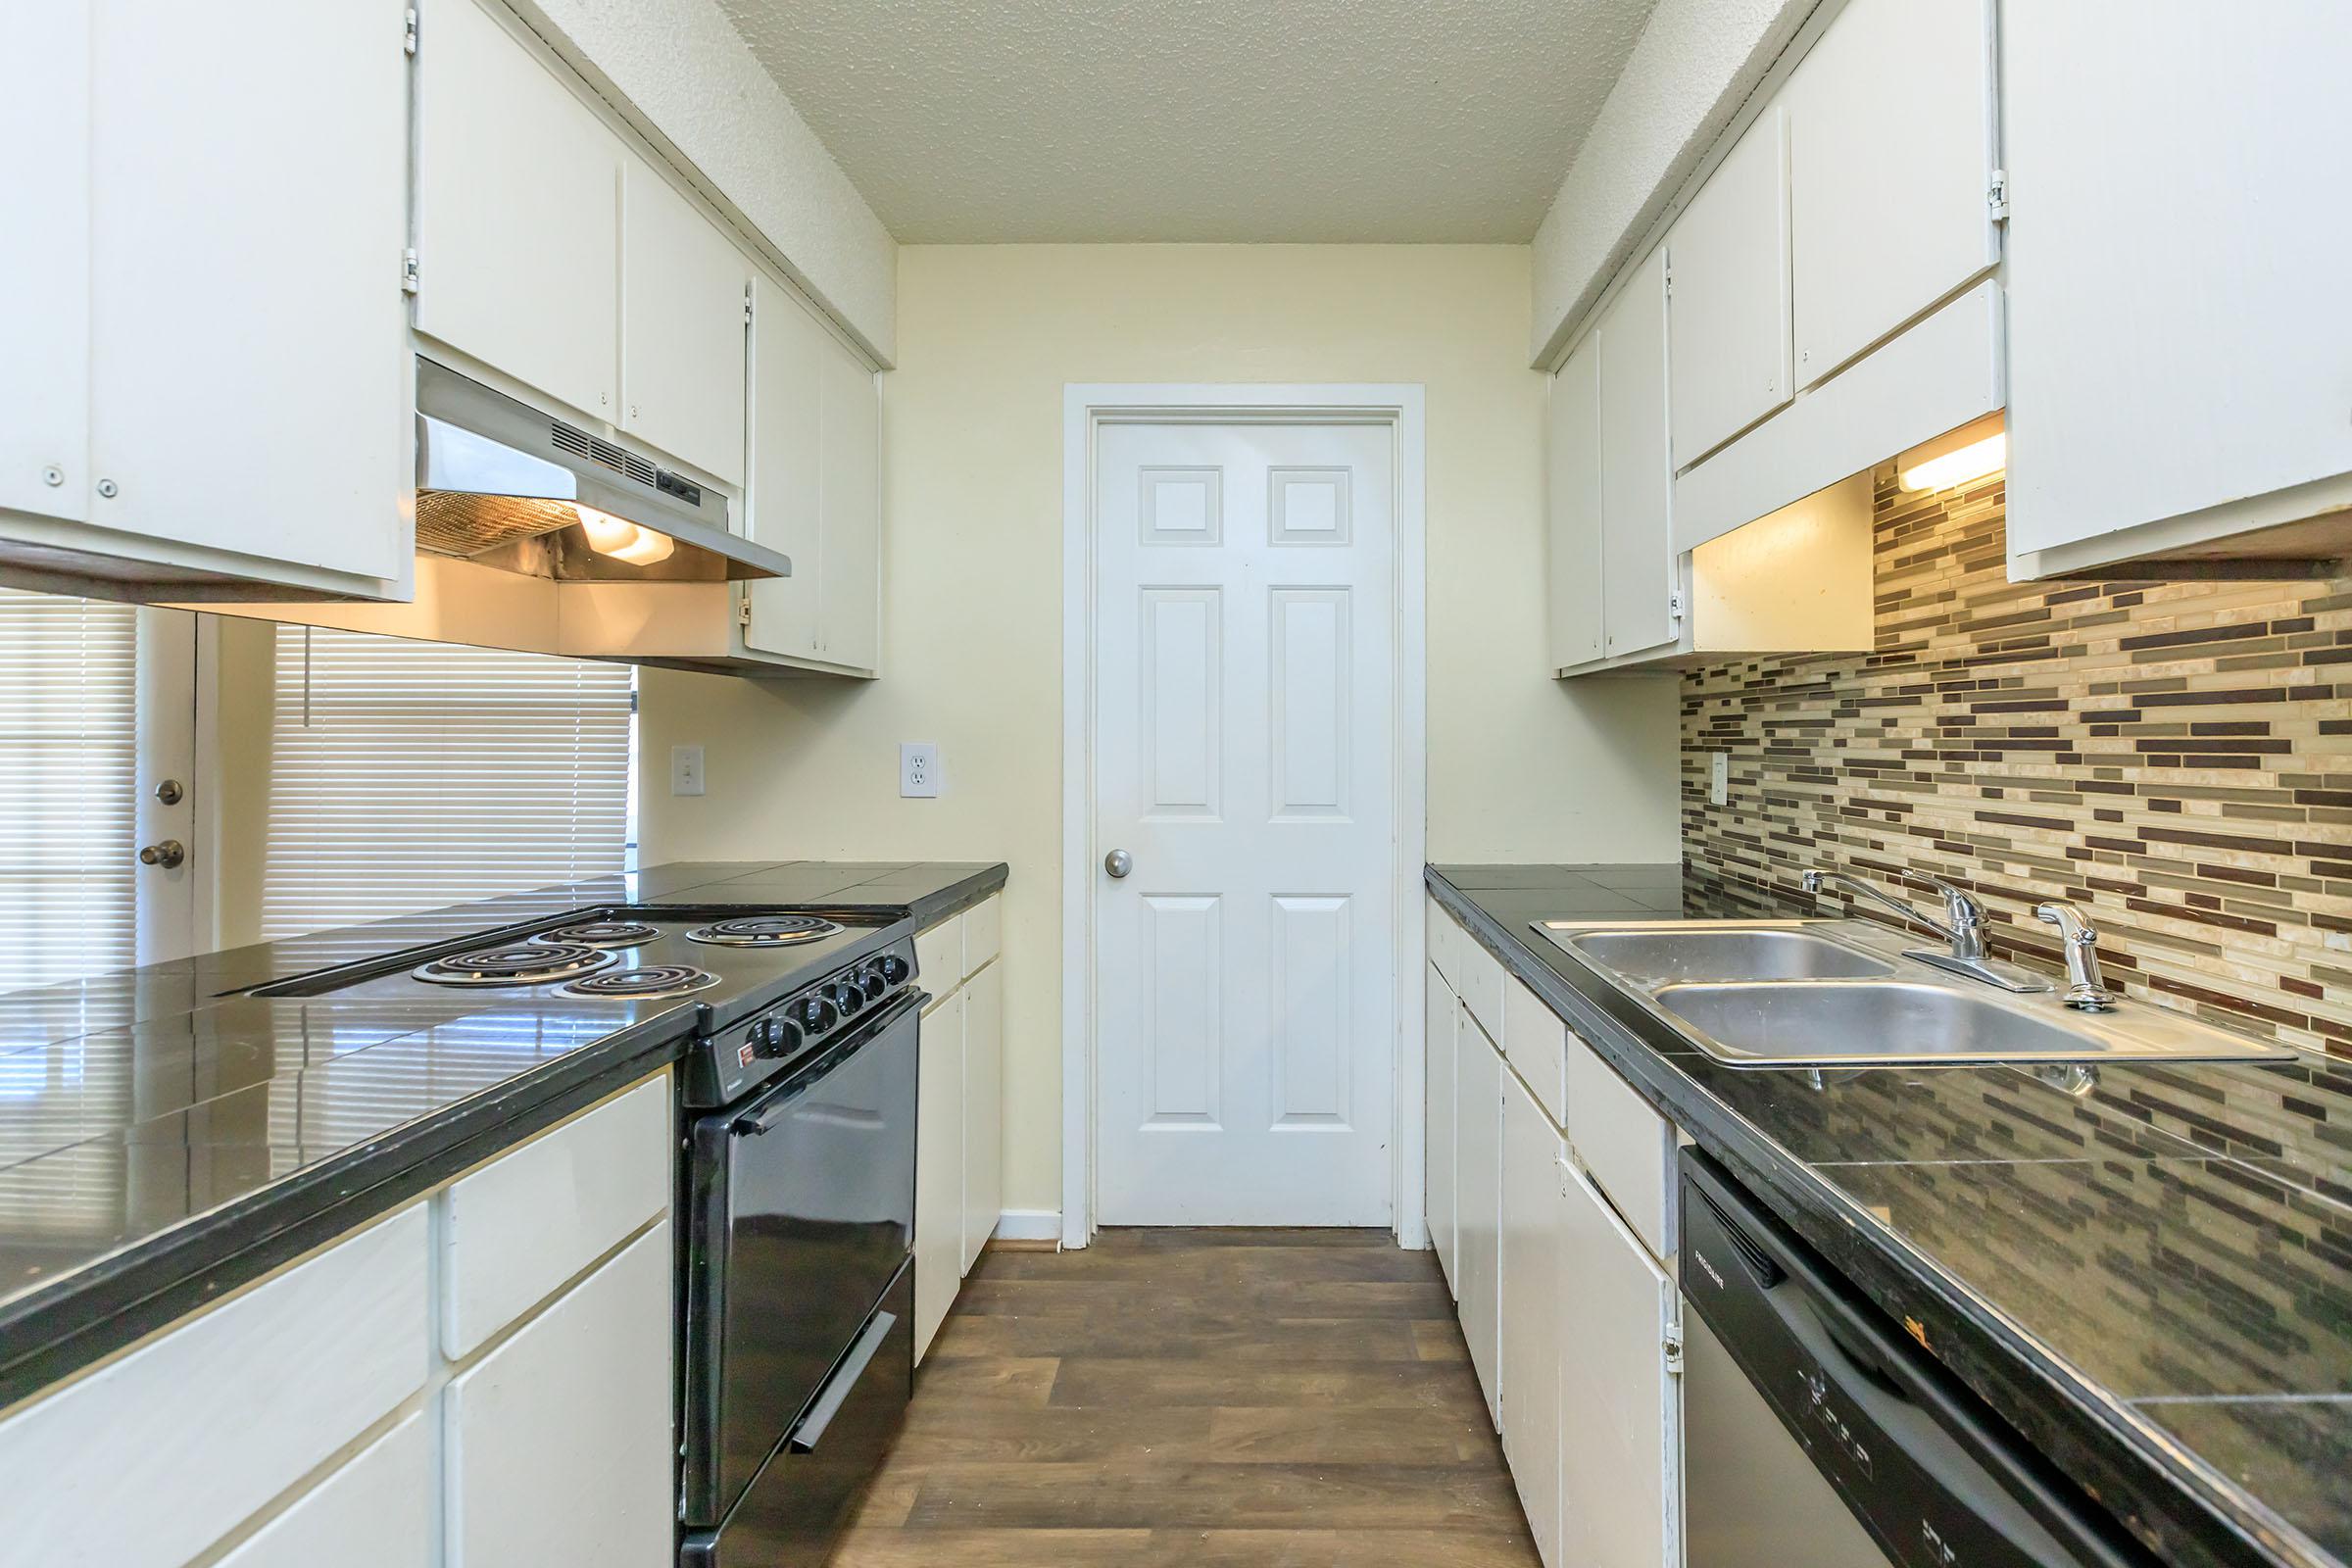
2146 1477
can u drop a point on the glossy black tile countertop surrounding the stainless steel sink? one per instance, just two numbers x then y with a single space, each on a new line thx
2151 1282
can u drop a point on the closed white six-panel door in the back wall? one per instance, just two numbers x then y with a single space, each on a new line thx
1245 760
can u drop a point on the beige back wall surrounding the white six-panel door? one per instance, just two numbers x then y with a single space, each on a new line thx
1521 768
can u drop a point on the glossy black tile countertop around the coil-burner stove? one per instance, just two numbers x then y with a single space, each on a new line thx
166 1139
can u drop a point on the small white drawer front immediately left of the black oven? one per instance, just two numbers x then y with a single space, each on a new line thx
533 1219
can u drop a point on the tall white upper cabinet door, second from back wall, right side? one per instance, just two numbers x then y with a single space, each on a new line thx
1638 551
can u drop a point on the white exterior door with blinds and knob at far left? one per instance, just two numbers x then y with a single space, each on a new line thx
98 713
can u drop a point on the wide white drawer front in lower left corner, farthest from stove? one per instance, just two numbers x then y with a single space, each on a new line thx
135 1463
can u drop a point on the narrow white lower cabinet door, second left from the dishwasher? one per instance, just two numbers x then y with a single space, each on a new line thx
1532 1177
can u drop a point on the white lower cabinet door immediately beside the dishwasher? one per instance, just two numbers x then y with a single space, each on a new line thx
1619 1400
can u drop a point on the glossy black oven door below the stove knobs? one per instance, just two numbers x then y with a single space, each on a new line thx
801 1214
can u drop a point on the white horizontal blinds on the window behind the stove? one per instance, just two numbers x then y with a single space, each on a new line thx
415 775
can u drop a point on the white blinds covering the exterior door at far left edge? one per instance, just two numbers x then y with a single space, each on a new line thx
69 732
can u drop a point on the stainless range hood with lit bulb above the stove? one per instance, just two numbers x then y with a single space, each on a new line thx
509 488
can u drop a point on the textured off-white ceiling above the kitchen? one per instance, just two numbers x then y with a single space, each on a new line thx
1198 119
